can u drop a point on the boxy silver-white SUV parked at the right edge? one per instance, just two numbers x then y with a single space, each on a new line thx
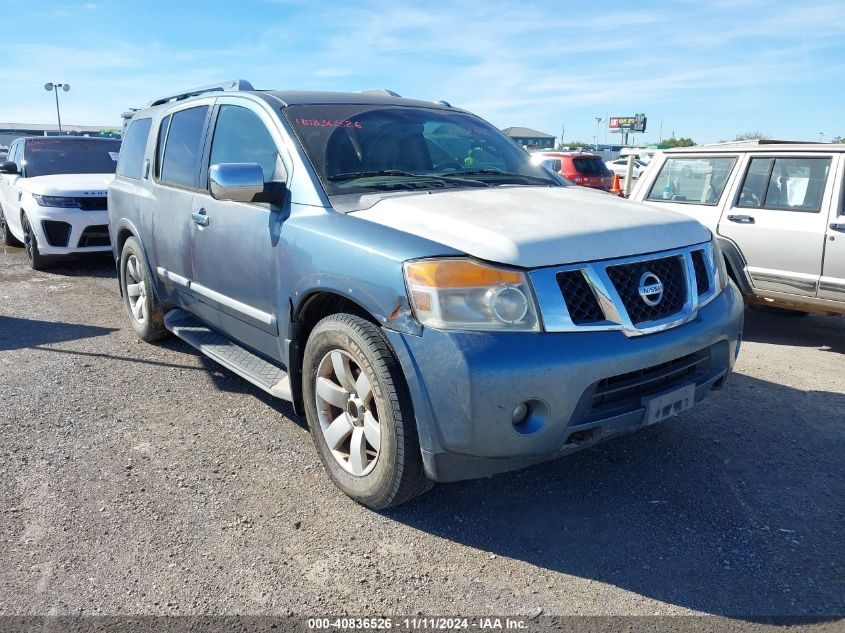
777 209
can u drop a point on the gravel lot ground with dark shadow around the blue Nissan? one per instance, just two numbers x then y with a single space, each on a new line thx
147 480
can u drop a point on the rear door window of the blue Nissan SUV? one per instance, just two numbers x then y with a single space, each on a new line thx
181 154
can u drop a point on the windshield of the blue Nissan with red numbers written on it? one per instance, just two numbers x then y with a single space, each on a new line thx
364 148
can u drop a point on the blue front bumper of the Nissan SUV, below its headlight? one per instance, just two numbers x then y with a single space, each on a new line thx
465 386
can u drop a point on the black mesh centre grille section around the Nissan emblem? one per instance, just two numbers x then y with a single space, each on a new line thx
670 271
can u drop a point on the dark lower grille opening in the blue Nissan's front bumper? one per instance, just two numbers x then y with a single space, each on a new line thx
626 390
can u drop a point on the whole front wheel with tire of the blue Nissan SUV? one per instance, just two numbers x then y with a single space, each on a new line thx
382 476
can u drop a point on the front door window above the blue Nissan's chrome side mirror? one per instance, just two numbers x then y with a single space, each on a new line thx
241 137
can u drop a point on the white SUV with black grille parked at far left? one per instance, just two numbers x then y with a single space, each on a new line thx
53 193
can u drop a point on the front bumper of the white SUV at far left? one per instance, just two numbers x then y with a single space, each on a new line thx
68 231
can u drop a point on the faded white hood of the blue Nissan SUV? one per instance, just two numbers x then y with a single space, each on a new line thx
532 227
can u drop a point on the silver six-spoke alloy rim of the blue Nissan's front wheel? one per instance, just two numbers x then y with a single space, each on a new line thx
347 412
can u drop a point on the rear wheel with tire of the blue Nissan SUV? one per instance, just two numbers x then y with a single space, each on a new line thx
139 299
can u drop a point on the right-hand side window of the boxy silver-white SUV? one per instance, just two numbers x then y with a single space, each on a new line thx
788 184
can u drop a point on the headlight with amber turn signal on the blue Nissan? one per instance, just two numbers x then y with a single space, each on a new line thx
466 295
